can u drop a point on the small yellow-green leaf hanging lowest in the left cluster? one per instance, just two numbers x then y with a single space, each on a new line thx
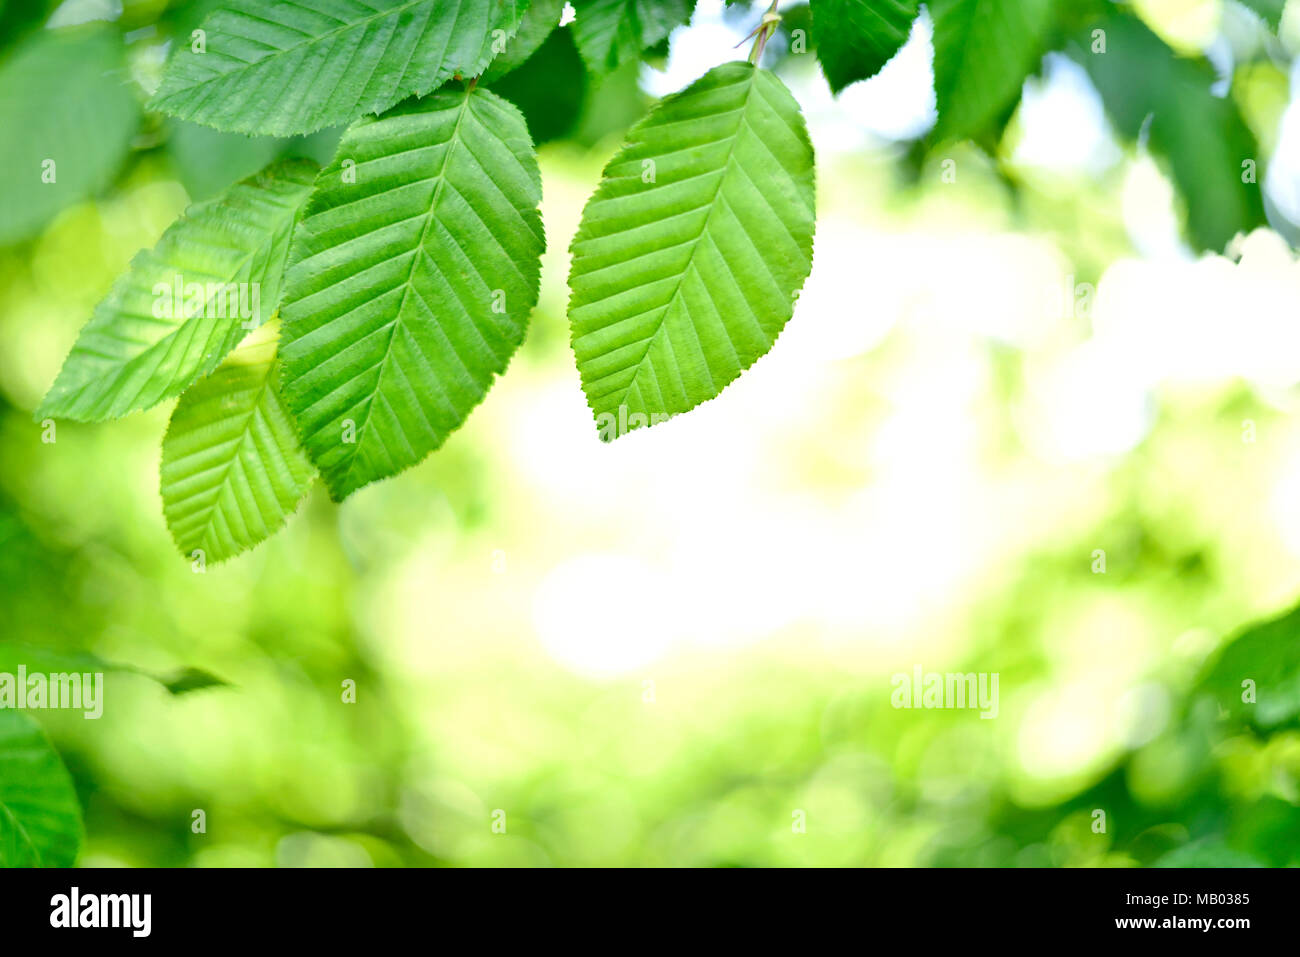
232 466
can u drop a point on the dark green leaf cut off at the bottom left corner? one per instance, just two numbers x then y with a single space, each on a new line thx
40 819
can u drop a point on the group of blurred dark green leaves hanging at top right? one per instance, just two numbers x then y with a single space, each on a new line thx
985 51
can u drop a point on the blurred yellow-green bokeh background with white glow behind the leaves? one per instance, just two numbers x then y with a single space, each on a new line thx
675 648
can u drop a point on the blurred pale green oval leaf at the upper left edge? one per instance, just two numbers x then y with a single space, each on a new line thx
67 93
